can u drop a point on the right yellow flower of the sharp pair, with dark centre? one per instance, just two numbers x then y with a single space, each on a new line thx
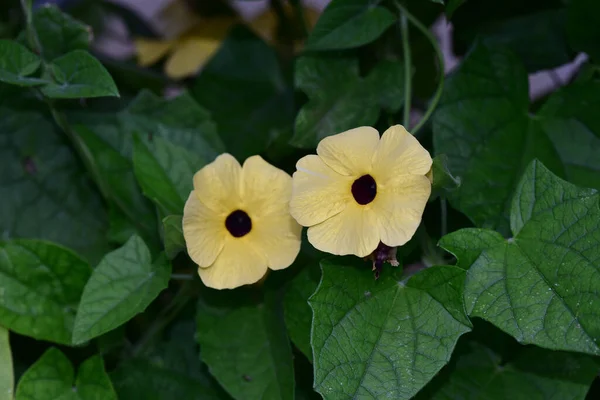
359 190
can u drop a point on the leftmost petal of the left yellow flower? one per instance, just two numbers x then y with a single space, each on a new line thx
204 231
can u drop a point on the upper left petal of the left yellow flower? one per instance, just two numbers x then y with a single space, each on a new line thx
218 185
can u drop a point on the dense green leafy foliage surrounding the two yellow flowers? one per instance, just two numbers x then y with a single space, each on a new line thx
499 293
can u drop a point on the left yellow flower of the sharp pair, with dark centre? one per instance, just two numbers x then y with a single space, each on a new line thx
236 222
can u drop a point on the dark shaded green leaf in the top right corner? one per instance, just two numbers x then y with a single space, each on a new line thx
583 26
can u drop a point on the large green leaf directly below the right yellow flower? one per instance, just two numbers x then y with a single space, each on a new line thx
384 338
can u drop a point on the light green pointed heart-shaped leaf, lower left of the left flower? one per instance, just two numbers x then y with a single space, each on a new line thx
124 283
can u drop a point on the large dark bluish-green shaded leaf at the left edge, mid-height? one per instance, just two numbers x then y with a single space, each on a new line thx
44 190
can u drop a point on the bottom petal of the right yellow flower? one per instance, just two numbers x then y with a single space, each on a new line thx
353 231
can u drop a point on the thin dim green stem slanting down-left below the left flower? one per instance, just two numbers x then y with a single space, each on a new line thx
164 318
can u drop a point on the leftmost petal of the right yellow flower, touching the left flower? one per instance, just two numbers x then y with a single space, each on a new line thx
318 192
